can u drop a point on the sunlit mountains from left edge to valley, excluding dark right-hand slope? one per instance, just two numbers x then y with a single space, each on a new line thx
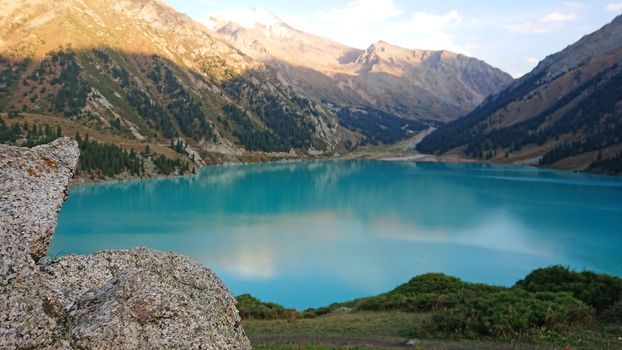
141 71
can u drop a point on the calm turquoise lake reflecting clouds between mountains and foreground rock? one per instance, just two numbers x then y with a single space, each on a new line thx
306 234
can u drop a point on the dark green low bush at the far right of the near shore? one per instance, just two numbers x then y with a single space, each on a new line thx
596 290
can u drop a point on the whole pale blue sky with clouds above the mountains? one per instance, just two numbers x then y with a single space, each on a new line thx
509 34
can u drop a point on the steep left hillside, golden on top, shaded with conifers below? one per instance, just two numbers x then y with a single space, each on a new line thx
139 70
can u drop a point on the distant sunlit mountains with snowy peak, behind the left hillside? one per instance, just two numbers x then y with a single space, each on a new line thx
414 84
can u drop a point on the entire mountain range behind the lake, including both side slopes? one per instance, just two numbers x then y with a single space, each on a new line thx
248 86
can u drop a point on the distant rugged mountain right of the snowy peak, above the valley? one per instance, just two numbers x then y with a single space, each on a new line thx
437 85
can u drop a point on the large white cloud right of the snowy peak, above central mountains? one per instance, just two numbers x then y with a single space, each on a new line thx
362 22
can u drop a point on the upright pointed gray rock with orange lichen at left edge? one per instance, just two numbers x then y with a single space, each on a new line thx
33 187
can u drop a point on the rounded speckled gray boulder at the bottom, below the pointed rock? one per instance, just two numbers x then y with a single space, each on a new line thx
144 299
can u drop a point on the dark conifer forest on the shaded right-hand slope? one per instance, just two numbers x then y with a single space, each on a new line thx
592 124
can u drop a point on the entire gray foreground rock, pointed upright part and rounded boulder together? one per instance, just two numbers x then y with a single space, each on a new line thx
136 299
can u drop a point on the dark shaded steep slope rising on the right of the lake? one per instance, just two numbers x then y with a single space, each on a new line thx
566 113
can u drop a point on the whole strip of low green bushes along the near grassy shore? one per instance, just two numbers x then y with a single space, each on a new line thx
552 304
